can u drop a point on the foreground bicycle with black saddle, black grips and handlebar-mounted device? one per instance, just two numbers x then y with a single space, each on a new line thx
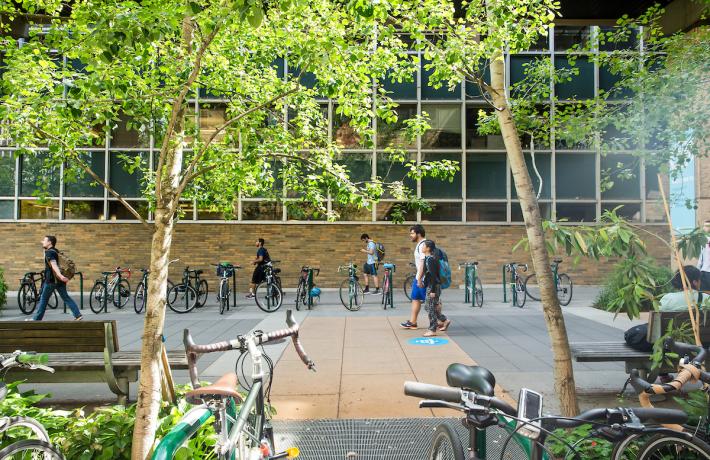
522 432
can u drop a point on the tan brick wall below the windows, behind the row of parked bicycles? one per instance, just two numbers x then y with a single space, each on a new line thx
102 246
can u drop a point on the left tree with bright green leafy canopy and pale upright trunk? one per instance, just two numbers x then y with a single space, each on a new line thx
92 65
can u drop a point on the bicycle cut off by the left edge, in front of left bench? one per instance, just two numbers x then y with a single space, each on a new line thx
40 446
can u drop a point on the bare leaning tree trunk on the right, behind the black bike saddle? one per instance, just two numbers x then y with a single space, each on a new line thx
563 373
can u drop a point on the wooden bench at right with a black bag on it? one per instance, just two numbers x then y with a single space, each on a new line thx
658 322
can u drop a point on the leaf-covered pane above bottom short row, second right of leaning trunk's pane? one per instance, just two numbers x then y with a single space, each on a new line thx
621 172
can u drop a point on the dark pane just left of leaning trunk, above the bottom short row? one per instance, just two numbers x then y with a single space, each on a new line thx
485 175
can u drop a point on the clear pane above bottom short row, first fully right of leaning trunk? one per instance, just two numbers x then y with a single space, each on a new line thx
574 176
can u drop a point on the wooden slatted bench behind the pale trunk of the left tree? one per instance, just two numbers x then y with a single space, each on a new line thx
79 351
